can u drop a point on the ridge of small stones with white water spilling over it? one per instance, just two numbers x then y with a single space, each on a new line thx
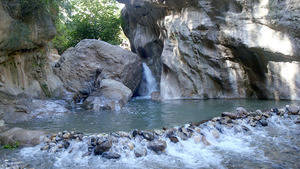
259 139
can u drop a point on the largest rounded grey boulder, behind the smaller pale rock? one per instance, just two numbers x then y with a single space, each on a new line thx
82 67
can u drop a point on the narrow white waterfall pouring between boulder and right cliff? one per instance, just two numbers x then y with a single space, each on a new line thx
148 84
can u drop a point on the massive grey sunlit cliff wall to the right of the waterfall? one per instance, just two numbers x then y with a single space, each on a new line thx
213 49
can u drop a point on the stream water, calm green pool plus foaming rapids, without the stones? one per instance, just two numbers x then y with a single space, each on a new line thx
274 146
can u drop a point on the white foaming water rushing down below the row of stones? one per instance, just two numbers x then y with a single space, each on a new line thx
234 148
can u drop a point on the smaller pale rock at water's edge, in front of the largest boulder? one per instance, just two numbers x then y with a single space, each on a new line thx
112 95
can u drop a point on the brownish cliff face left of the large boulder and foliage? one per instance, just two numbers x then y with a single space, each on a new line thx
24 37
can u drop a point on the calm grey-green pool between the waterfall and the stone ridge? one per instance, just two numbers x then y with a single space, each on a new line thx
146 114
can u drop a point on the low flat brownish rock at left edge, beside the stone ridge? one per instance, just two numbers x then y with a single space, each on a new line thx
22 137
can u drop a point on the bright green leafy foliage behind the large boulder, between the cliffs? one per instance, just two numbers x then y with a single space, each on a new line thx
89 19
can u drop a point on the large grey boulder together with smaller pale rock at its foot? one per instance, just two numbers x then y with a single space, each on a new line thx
106 73
